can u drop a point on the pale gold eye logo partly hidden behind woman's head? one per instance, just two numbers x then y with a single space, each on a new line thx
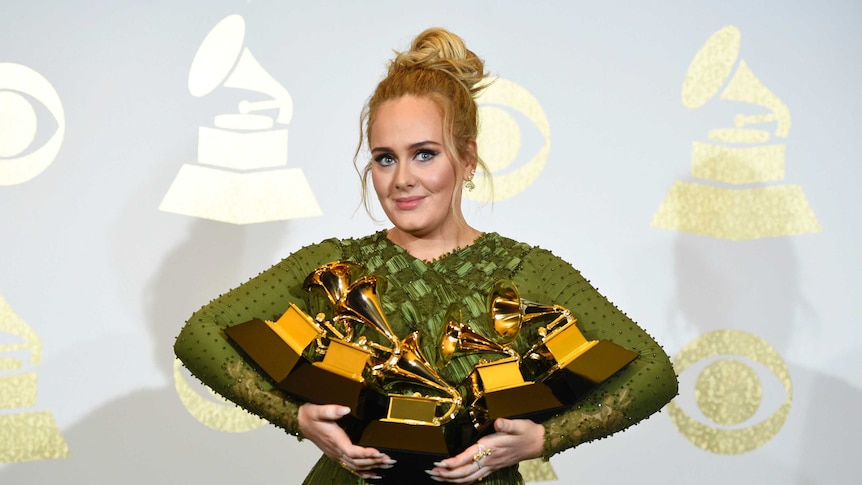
500 138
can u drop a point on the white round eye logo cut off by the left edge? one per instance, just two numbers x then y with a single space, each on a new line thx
23 94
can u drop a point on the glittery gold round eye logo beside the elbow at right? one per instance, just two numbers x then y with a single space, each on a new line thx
738 410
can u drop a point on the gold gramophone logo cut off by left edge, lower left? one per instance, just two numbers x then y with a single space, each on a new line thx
27 434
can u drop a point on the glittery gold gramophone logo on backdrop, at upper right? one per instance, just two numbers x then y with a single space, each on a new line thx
748 154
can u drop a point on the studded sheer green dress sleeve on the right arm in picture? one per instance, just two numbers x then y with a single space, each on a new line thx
634 393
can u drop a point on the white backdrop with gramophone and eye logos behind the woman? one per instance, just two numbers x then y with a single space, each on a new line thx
96 280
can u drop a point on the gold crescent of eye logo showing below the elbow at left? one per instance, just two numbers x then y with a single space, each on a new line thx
215 413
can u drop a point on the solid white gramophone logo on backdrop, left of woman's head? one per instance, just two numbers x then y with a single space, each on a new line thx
241 176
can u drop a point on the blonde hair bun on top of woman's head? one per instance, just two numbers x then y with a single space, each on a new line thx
437 49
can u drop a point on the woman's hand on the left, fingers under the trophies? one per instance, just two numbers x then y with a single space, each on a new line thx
319 423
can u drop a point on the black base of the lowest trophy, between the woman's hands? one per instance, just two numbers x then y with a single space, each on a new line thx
415 447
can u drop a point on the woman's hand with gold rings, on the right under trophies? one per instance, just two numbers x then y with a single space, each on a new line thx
515 440
